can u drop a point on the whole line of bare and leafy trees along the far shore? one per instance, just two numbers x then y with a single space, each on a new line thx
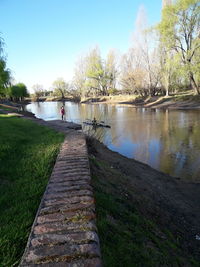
162 60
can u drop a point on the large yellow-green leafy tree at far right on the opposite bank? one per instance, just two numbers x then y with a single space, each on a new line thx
179 31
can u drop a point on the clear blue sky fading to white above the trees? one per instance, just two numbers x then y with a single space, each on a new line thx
45 37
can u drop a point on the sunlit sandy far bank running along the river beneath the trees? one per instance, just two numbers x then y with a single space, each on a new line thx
178 101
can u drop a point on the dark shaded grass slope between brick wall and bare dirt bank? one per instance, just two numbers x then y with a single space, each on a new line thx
127 237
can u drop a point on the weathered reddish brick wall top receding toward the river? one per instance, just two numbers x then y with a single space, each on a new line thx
64 232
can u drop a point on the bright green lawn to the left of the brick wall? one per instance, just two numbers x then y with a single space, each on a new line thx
27 156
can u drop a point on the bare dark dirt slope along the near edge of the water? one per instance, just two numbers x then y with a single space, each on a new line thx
172 203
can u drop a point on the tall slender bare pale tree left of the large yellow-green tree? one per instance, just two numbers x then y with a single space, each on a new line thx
143 49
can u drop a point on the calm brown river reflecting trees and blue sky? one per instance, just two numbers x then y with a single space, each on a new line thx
167 140
